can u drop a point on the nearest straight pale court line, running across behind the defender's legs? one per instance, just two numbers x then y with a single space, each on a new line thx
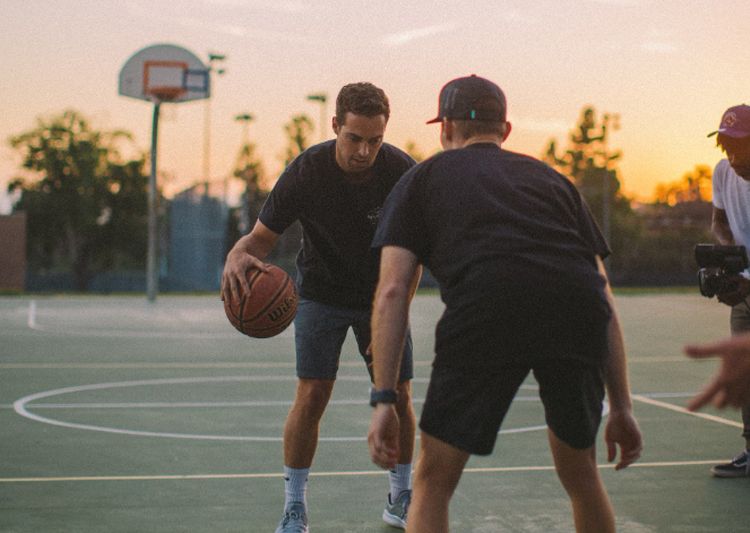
330 474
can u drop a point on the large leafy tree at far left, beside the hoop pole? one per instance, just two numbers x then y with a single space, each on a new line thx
87 210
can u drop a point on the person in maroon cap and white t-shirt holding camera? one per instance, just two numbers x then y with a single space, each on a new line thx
730 224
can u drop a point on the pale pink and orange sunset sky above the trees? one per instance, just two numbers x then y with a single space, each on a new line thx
668 68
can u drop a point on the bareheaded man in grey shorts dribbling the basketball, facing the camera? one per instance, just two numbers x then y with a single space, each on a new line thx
336 190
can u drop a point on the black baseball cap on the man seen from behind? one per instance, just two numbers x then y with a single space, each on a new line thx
457 99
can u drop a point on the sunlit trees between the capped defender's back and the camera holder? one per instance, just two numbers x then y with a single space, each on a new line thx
652 244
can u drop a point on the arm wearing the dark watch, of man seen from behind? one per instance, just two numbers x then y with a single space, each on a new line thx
390 320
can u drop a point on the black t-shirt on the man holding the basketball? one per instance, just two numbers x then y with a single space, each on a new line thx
336 264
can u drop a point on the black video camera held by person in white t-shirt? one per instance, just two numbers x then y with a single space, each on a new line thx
718 265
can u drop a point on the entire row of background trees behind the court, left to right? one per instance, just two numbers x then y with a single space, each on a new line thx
86 205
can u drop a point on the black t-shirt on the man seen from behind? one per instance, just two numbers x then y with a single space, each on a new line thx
510 241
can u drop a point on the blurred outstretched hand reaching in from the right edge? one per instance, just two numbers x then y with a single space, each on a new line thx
730 386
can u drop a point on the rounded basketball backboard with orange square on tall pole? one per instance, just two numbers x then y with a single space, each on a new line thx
165 73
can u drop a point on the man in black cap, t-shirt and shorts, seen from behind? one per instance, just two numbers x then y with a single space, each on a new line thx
518 257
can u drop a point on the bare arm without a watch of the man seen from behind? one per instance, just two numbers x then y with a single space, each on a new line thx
622 429
